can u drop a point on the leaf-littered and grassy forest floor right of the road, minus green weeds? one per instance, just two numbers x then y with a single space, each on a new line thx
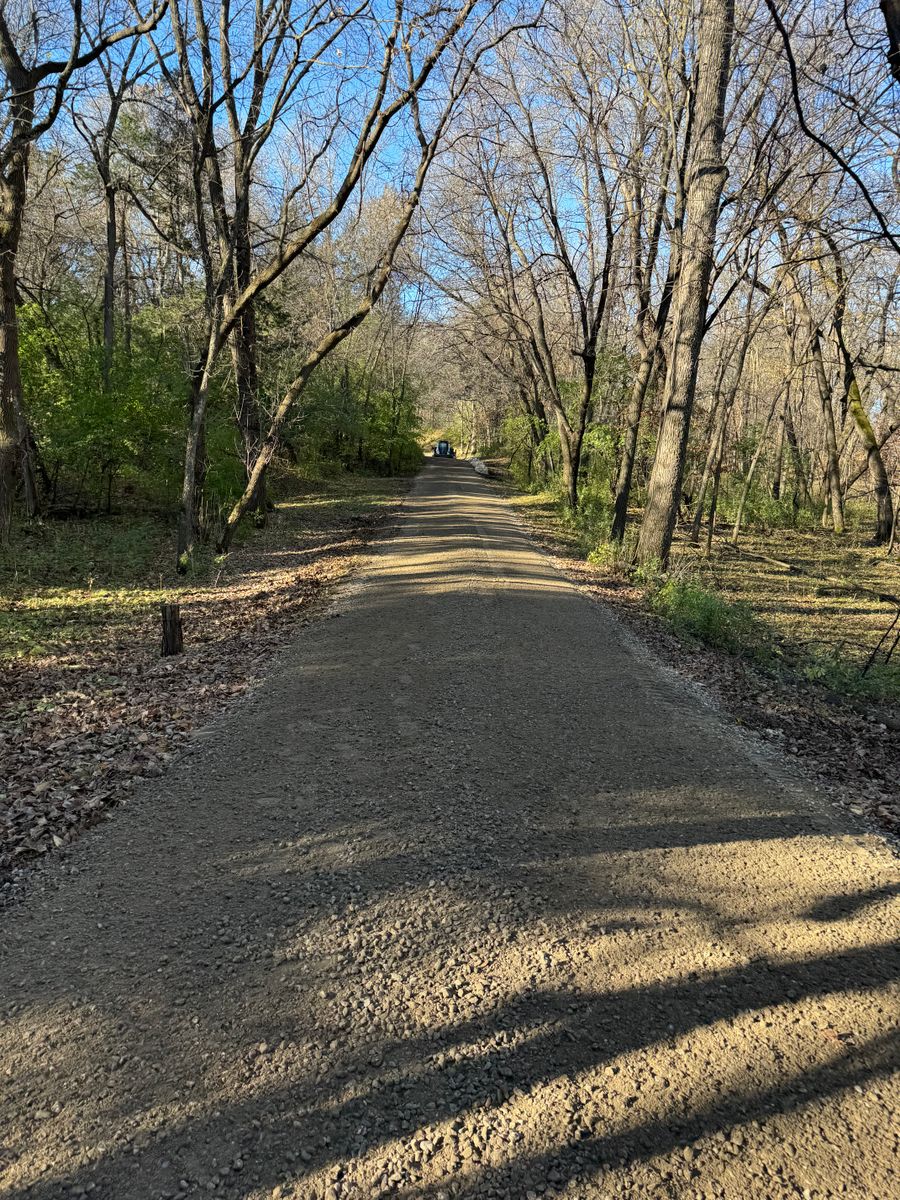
808 704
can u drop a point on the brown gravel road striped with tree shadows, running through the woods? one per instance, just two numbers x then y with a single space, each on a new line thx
472 901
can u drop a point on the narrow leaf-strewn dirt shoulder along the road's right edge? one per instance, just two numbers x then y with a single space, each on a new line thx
851 751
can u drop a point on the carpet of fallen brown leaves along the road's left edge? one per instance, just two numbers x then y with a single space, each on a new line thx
82 728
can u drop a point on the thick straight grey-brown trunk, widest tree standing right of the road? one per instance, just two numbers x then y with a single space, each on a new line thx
692 298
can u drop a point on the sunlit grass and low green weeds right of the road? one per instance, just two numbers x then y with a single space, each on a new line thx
800 627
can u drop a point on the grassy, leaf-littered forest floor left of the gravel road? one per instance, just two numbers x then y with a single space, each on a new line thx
89 709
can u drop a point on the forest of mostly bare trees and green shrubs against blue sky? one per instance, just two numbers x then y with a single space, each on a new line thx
644 259
